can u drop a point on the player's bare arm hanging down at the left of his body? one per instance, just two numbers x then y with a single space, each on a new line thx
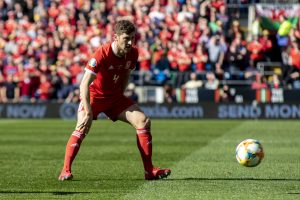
87 79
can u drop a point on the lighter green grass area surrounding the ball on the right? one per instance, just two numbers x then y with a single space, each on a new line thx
212 172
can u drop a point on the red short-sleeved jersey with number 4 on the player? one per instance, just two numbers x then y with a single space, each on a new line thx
110 71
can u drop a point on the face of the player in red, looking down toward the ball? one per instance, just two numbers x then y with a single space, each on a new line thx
125 42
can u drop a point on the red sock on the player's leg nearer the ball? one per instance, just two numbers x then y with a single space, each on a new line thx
144 142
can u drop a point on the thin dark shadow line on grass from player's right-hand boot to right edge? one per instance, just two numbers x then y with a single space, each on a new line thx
232 179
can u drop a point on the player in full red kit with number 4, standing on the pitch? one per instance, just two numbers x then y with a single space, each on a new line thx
101 90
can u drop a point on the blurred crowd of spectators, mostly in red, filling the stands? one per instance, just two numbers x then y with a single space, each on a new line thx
44 45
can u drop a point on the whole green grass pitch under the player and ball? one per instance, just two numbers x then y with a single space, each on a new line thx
201 154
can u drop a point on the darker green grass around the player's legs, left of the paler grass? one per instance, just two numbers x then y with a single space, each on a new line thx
108 165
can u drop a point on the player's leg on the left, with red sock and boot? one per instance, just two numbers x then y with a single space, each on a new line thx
73 145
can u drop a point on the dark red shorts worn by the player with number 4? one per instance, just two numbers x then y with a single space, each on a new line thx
112 107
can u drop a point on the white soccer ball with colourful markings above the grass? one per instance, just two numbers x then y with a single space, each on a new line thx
249 153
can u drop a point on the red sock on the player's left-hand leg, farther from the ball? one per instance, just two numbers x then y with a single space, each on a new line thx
72 149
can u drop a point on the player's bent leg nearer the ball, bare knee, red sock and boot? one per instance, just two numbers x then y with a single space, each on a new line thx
142 123
